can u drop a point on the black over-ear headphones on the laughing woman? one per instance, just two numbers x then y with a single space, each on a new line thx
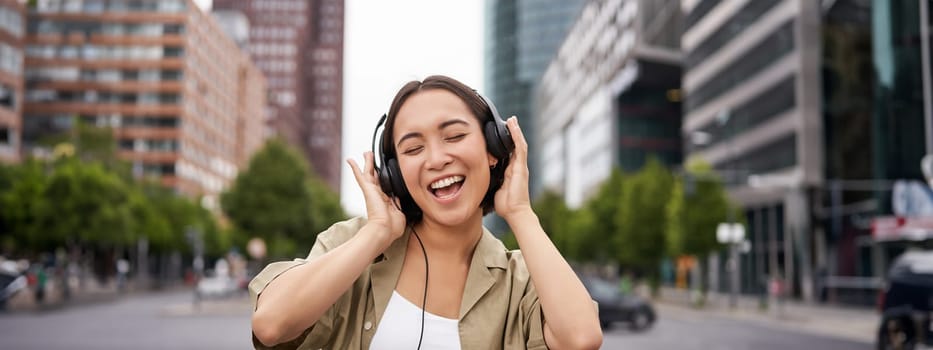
499 143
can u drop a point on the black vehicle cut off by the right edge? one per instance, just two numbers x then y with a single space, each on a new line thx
906 304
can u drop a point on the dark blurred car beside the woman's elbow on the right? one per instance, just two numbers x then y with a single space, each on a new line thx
615 306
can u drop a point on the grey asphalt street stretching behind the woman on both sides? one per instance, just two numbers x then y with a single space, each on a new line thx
168 321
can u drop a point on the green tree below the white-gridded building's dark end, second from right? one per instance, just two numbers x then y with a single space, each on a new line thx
641 218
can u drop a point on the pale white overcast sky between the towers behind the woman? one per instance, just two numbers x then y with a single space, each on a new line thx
388 43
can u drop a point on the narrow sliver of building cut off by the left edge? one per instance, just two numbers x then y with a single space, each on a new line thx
12 29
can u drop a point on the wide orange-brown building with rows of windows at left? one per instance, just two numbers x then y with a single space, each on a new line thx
184 101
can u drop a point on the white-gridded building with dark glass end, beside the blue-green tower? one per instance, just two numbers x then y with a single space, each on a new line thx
611 97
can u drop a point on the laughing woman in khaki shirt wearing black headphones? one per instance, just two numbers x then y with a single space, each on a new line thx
421 271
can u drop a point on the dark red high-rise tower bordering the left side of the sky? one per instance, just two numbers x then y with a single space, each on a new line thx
298 44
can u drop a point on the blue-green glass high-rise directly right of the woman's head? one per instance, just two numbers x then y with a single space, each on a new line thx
522 36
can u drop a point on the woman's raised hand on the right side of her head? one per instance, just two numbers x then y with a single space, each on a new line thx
512 198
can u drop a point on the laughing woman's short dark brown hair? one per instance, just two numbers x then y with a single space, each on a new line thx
477 106
